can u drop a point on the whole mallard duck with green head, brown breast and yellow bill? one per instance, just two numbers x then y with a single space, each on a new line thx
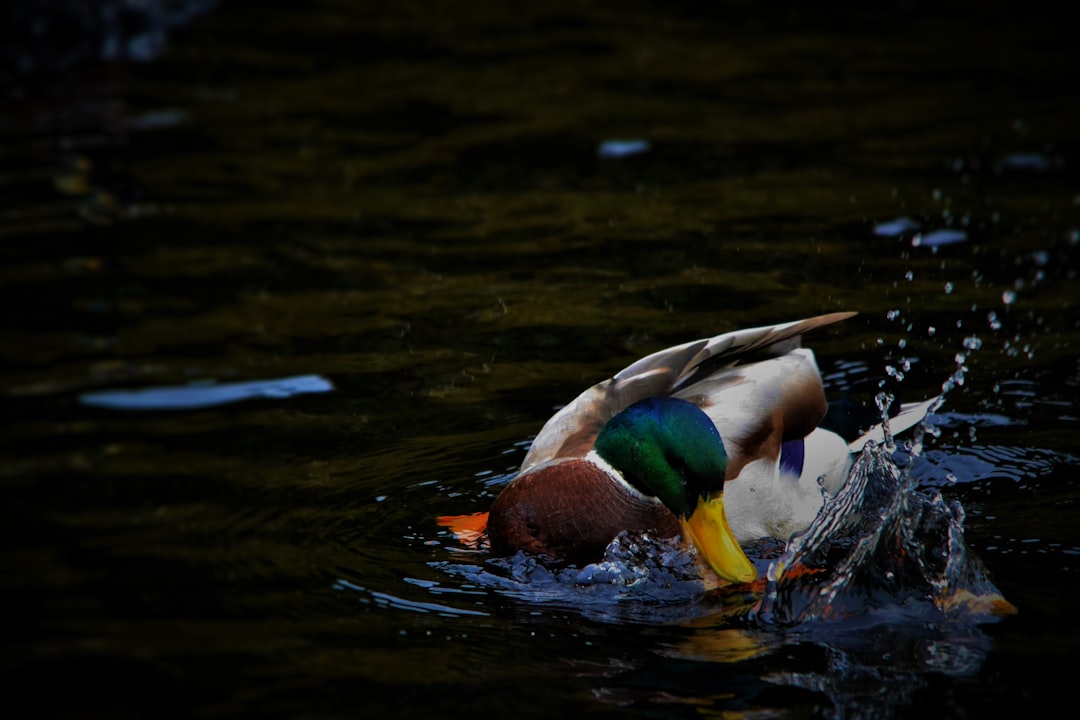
720 440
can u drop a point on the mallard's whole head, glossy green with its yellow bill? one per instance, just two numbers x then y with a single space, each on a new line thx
670 450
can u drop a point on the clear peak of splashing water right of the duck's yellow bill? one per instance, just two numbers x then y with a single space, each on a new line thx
880 545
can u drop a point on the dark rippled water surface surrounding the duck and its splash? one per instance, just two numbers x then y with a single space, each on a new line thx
416 206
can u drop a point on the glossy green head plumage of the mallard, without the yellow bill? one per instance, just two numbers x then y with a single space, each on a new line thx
668 449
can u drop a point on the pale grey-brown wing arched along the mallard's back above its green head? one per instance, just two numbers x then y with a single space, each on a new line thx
680 371
